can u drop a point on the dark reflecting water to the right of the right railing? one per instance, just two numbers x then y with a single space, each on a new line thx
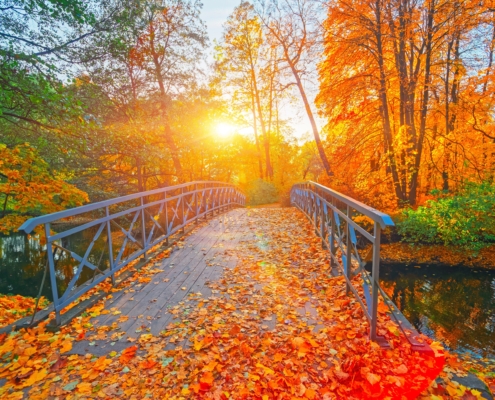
453 305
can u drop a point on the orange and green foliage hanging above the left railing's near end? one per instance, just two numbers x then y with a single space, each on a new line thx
28 186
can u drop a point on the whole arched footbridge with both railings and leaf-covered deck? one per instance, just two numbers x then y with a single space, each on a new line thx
207 294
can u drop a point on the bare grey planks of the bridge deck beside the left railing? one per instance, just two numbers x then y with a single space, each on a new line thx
184 279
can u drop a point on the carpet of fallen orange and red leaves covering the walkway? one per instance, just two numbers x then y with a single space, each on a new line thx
276 326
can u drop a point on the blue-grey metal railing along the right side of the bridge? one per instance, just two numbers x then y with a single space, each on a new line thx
339 221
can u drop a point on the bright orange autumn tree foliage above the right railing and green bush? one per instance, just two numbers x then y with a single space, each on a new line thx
404 90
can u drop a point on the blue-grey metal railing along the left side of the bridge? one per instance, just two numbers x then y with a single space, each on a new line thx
120 230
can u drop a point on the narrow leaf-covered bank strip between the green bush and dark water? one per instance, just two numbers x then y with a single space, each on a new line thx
436 255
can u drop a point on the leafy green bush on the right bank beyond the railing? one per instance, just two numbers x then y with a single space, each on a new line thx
465 220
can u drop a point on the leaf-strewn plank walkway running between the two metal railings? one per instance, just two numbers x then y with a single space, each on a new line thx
246 306
